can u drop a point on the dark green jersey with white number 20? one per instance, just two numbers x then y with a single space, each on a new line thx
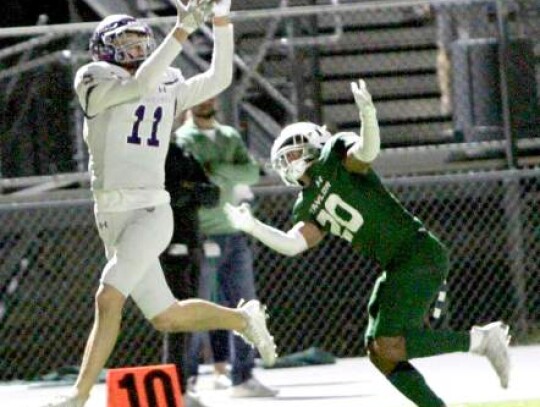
356 207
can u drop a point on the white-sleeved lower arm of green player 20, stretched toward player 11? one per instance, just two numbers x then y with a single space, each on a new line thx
300 238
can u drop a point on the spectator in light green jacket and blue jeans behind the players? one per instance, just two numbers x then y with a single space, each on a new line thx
228 164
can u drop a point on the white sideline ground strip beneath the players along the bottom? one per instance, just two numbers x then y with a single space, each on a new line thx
462 380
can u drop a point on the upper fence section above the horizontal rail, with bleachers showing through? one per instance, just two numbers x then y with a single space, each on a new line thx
435 70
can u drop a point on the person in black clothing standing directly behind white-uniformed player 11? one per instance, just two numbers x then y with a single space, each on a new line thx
190 189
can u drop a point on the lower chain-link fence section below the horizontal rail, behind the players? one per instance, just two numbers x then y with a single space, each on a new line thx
51 257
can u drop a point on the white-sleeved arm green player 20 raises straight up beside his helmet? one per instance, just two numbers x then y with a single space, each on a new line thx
366 149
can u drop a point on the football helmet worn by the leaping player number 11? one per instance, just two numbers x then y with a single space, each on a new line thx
108 42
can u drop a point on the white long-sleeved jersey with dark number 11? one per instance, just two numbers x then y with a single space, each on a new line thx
129 120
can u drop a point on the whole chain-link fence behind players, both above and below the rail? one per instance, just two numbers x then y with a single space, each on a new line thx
435 78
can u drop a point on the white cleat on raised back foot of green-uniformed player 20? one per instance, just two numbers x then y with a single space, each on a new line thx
492 341
